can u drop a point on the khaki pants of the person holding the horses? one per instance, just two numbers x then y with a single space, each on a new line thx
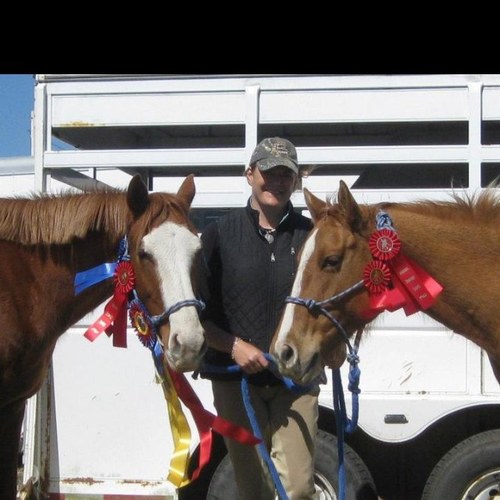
288 423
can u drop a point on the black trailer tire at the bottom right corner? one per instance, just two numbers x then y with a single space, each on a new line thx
470 470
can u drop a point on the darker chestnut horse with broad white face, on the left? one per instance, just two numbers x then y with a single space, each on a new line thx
46 241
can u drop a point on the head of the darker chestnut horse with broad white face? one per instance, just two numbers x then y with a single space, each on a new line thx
165 253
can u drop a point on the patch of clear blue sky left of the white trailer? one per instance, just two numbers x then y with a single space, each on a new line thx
16 105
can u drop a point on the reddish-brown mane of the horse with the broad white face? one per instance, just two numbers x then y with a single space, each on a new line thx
44 219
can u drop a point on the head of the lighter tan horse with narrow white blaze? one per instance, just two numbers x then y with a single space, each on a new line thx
333 256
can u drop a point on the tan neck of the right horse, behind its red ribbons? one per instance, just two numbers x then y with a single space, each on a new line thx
461 255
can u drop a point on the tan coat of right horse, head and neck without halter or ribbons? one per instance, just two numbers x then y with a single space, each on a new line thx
456 242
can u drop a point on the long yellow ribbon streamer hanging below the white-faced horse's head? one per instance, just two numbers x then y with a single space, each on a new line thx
178 470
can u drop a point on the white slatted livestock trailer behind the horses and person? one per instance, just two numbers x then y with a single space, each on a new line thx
99 428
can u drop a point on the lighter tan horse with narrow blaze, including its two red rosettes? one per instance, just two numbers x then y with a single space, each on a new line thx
438 257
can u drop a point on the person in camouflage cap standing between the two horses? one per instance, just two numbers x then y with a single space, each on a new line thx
251 258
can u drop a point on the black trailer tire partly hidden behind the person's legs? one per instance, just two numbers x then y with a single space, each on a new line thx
359 482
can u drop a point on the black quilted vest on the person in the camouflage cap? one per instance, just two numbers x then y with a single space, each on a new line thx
249 278
